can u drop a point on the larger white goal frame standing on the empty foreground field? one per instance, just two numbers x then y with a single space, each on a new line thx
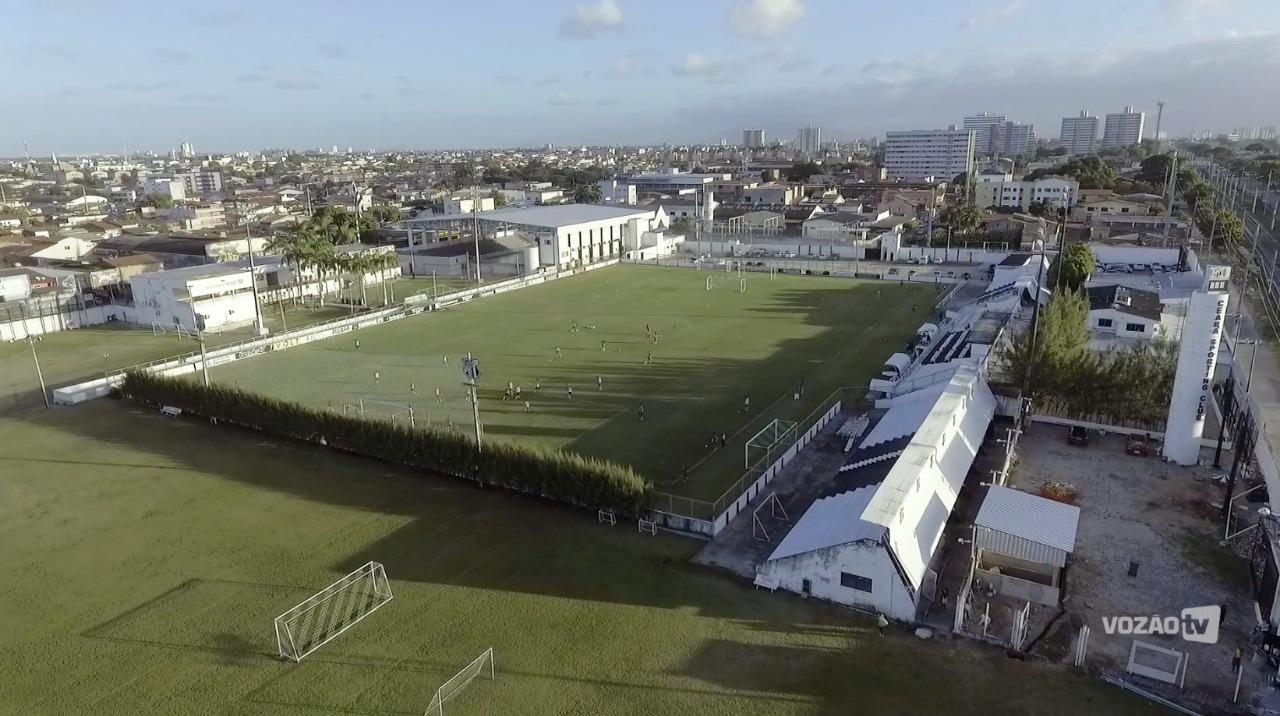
331 612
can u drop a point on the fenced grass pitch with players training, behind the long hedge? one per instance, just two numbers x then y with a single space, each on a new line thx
715 348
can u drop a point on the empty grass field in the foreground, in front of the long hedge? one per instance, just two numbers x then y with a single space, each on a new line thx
145 559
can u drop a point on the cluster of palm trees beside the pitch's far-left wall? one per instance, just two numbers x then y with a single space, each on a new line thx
313 248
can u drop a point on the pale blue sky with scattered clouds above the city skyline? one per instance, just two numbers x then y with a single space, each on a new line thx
86 75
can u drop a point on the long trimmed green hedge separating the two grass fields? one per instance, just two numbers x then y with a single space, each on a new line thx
565 477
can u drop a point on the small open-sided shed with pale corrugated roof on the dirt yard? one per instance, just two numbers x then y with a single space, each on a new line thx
1022 542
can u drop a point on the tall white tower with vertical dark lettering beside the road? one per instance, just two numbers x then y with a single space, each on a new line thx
1197 359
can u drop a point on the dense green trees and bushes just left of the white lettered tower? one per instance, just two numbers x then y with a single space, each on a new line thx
1062 375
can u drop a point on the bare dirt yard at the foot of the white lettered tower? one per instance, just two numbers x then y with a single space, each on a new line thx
1149 544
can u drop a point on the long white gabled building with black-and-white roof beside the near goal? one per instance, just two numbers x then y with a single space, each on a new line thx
876 545
